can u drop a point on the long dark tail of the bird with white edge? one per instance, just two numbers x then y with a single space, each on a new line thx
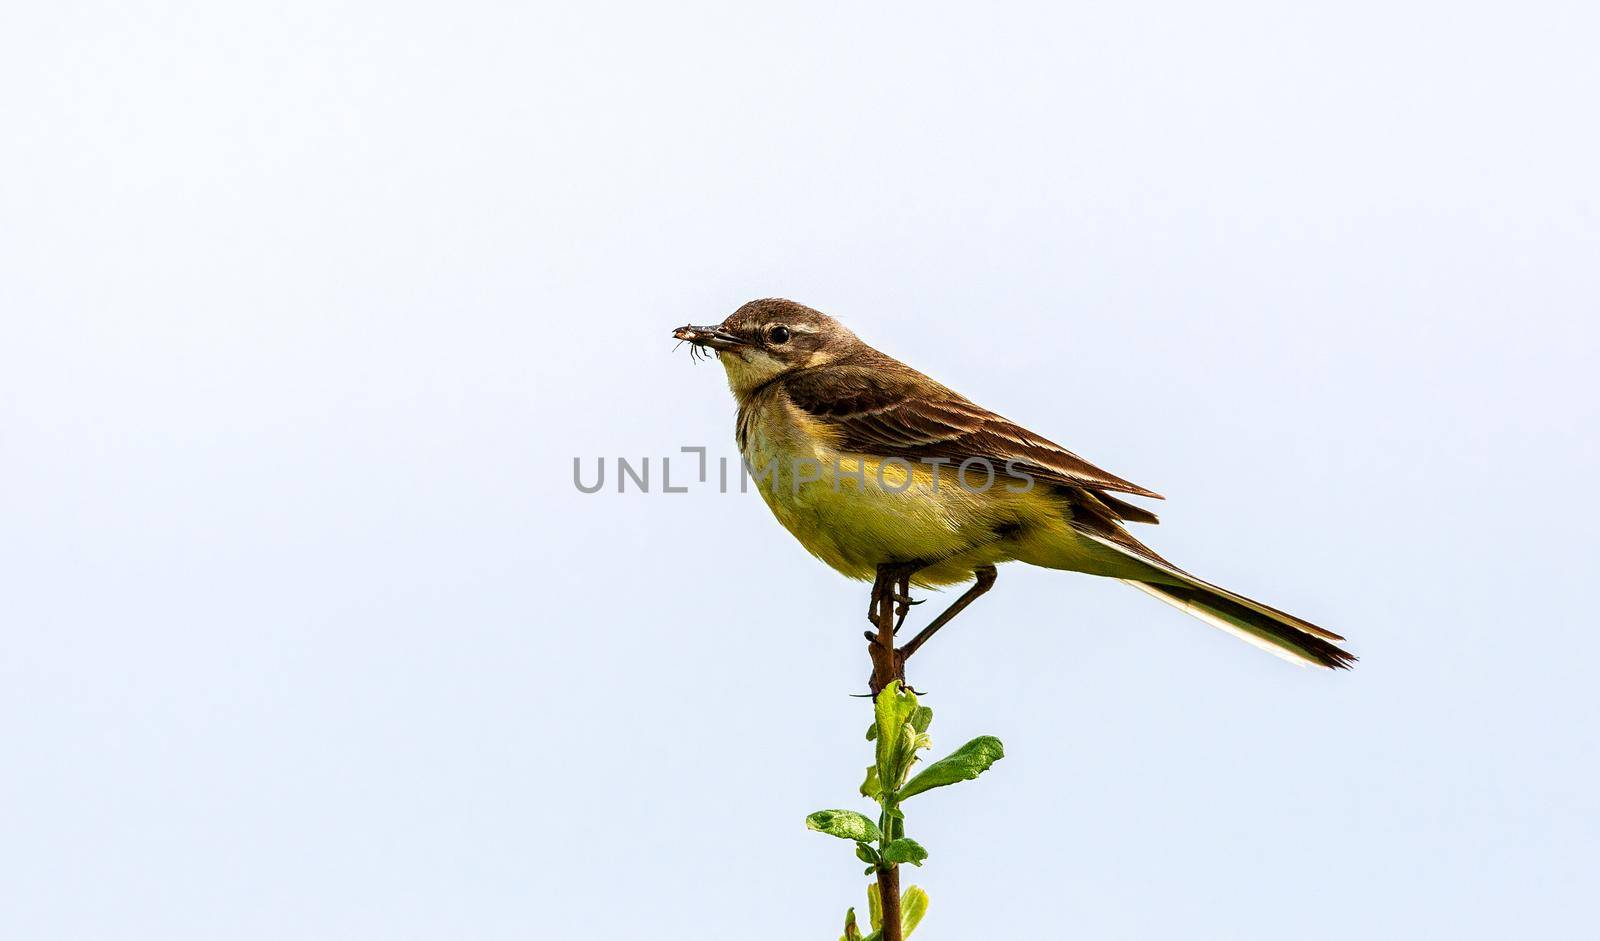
1268 628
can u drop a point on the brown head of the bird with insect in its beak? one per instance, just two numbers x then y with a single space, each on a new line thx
764 340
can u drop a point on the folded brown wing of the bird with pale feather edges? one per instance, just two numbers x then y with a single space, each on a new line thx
898 414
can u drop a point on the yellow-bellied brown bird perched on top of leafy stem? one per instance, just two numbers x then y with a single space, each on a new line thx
886 475
